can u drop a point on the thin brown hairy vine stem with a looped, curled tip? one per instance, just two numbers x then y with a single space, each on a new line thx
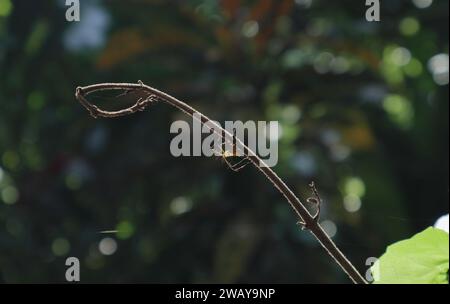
150 95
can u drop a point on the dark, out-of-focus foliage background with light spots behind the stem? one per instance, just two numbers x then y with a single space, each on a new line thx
363 108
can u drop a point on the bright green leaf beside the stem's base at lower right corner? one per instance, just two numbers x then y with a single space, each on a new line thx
422 259
